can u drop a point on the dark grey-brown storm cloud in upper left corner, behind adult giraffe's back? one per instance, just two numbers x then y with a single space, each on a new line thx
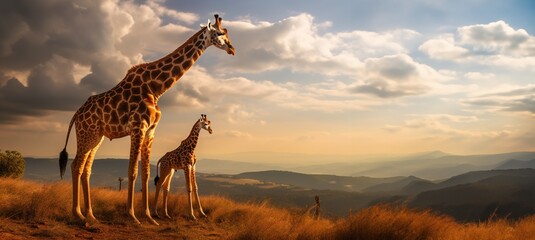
47 39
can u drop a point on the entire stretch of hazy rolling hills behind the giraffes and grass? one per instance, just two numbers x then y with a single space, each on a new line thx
501 184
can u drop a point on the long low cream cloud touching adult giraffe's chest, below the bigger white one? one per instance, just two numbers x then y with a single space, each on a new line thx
204 90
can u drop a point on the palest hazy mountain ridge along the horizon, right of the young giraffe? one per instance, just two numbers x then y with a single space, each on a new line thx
435 165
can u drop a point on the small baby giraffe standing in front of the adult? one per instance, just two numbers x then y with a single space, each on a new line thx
184 158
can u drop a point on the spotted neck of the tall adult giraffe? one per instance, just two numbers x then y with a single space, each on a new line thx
163 73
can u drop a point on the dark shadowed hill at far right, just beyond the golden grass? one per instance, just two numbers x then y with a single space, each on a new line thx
508 194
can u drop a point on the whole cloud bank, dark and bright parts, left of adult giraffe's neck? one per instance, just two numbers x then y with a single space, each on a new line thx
48 63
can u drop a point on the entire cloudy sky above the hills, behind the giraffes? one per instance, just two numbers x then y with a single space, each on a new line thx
330 78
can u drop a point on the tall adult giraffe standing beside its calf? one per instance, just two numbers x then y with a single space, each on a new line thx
130 109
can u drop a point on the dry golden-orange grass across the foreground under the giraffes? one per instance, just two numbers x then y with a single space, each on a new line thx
43 211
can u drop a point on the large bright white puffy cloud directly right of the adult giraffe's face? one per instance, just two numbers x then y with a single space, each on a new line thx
378 61
